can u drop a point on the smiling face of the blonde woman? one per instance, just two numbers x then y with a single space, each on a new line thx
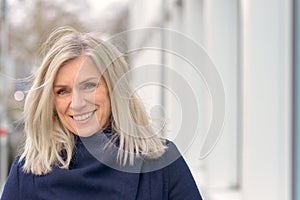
81 97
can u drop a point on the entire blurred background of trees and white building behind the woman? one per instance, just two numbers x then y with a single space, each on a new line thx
254 45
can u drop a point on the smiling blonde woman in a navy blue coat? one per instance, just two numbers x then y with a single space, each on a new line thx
87 135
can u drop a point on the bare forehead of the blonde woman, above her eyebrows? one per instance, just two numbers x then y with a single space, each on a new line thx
77 70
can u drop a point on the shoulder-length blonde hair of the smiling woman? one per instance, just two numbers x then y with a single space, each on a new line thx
47 138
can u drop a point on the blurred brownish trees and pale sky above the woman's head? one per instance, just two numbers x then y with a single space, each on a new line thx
32 21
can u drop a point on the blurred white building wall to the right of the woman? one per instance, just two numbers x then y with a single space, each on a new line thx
250 43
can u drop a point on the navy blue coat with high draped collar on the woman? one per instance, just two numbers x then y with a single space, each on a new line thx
89 178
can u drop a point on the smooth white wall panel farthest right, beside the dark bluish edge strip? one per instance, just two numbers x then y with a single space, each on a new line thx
267 65
